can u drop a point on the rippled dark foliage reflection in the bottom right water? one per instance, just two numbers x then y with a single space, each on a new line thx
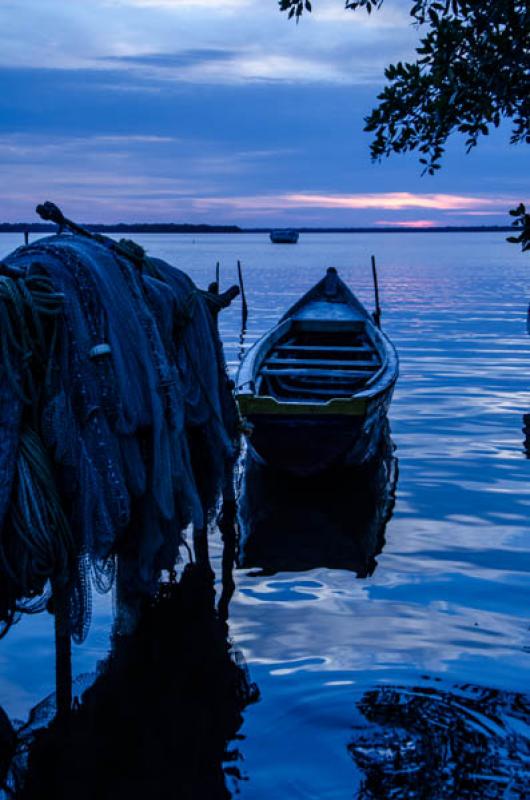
441 742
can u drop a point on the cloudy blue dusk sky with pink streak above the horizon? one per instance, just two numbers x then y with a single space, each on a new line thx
222 111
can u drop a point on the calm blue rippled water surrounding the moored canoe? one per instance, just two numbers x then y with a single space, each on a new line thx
364 677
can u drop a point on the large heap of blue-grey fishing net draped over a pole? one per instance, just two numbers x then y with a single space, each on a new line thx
117 423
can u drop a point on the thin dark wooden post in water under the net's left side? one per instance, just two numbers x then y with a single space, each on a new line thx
63 651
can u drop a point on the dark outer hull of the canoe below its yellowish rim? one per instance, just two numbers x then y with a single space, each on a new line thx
308 444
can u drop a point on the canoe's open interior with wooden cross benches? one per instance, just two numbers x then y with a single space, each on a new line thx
318 362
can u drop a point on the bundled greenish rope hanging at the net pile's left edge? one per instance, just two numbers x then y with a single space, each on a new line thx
36 542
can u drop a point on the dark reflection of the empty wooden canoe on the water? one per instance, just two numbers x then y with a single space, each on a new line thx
335 520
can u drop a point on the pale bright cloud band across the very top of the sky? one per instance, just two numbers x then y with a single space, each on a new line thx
207 41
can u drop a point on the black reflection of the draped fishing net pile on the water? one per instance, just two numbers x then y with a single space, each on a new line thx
158 718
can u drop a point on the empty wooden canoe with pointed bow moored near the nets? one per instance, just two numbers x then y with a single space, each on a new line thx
315 389
